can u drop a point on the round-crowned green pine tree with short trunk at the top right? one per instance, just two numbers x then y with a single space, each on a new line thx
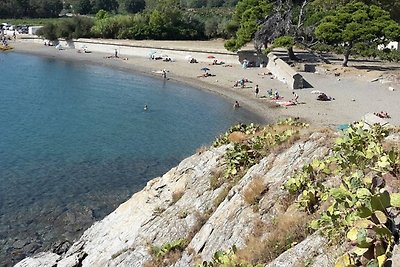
357 23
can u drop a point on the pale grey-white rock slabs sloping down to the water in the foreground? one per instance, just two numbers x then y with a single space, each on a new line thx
182 205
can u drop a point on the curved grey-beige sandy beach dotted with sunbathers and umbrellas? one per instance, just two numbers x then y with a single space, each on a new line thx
363 88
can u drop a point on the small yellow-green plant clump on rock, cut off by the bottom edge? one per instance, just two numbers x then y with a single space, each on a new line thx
225 259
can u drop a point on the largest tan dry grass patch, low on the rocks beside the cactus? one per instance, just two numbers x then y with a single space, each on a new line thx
288 230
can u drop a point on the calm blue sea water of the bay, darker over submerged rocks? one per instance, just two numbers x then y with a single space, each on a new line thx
75 142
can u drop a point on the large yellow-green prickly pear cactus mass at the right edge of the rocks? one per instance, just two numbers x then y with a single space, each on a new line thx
359 204
